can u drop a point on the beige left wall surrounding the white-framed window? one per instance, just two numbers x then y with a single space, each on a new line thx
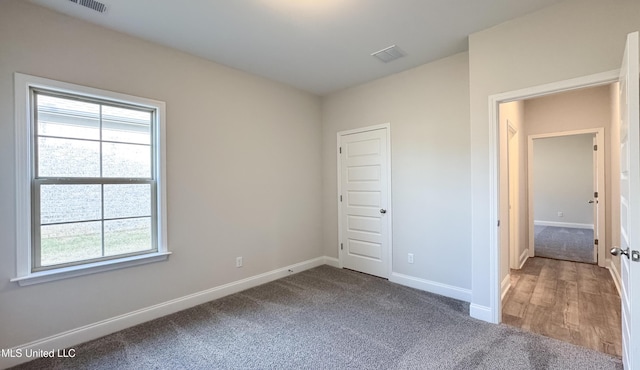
243 165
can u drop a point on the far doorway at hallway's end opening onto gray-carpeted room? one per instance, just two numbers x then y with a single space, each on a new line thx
567 198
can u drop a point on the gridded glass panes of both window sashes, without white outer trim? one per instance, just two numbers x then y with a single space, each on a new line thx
123 144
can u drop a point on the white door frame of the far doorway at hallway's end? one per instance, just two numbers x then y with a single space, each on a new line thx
600 222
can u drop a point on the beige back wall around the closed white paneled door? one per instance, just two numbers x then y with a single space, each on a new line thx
427 108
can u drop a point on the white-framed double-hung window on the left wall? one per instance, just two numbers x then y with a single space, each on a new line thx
90 180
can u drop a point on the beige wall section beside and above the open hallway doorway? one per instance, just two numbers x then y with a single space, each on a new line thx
571 39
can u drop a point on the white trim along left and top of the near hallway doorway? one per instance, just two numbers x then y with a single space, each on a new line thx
603 78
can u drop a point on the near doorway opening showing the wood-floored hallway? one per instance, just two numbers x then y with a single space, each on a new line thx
554 150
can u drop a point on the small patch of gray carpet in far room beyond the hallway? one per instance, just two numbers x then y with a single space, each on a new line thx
564 243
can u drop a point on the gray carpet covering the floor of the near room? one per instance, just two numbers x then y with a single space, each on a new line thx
327 318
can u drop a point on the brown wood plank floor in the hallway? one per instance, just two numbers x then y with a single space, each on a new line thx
574 302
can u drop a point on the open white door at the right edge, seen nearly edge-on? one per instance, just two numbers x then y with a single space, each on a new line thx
630 202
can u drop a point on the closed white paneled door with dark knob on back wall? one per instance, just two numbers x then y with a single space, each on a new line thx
364 201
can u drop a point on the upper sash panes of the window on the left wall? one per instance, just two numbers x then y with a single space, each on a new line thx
127 151
